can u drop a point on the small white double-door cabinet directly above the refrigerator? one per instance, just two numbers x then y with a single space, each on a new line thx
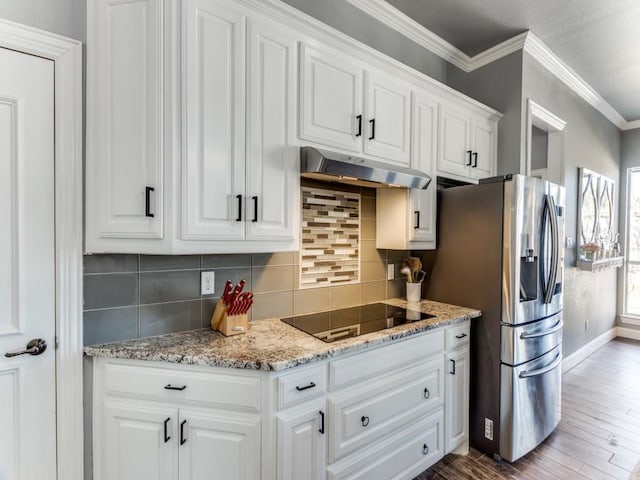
466 142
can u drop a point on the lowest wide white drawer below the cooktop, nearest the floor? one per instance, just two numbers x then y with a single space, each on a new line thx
401 456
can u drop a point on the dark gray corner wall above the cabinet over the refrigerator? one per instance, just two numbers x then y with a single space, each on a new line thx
498 85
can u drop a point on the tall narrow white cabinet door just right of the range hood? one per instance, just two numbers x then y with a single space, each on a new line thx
422 224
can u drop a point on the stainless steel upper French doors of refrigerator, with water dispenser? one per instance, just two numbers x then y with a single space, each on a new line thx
533 252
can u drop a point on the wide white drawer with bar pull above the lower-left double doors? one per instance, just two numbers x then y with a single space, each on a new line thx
210 388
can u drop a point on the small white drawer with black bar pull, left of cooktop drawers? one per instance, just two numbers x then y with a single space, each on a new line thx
301 385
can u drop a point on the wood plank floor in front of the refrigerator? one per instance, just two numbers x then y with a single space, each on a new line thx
598 437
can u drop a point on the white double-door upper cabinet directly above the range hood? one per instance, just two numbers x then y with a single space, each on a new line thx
345 107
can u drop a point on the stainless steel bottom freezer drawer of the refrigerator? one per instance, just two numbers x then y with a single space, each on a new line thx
529 403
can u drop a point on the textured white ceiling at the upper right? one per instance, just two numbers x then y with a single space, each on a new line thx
598 39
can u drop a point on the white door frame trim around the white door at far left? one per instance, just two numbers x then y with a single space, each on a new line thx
67 55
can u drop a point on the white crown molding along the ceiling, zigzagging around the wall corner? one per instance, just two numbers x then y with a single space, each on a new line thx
527 41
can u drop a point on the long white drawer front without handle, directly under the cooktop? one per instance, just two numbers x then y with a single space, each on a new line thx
357 368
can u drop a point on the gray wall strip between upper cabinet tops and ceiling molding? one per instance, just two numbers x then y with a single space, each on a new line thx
354 22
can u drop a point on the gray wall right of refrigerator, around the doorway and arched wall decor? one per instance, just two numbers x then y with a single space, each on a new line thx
590 141
